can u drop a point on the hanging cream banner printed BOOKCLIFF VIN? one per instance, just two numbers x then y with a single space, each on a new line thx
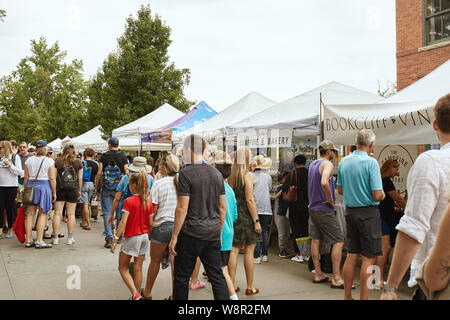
392 123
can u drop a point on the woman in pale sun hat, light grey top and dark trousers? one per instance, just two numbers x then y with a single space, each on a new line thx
262 187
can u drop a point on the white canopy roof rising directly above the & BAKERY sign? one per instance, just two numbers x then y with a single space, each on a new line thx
303 110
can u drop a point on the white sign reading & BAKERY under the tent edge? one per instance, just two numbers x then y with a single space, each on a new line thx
265 138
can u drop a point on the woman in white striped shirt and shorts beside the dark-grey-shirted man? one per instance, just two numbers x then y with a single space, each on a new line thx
164 199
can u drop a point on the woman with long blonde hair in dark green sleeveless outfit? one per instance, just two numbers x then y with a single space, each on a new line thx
247 229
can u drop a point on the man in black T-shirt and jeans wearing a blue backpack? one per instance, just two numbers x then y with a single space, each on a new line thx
110 159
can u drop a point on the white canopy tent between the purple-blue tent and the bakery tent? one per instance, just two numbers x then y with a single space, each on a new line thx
245 107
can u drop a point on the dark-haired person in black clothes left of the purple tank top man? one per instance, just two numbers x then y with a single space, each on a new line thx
298 211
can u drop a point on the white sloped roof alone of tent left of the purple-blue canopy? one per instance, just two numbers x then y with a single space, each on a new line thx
152 121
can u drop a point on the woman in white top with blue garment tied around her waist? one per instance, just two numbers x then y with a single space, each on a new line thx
40 174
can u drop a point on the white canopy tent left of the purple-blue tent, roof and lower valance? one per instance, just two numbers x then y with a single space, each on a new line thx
130 134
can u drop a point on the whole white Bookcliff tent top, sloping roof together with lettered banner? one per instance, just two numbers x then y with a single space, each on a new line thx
404 118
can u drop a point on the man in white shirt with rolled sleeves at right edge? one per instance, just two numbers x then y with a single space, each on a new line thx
427 185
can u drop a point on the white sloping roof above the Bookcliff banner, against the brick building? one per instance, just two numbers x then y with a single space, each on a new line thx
431 87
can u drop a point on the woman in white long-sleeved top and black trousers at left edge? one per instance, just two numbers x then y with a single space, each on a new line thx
10 171
